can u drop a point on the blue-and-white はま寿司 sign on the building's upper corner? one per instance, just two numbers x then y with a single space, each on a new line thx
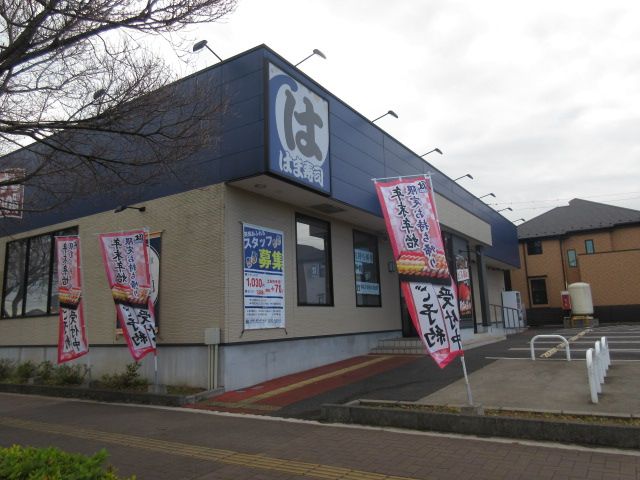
298 132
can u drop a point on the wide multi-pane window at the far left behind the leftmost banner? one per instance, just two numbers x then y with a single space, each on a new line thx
30 278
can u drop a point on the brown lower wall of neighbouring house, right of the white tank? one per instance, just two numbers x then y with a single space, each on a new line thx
614 277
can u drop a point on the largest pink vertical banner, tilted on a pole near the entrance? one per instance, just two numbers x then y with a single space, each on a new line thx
416 239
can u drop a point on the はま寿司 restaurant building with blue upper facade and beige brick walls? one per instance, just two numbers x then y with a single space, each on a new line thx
286 195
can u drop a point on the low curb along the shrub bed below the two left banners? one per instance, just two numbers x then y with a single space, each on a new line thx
108 395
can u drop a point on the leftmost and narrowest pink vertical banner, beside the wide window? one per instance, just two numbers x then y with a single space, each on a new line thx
72 337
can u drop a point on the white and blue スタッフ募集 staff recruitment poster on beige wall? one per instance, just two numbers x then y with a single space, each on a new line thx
263 260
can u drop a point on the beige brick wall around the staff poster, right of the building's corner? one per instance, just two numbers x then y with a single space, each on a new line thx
344 316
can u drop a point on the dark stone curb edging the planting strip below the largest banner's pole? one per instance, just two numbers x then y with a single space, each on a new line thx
379 414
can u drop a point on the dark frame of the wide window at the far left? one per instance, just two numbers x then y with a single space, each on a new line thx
27 241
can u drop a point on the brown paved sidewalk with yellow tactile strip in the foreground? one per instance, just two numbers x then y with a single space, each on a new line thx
161 443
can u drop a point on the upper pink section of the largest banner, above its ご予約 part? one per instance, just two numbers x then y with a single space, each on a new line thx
412 223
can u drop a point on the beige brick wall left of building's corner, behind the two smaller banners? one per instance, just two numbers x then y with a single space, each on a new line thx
191 270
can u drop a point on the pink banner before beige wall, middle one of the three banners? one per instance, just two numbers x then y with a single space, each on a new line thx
126 261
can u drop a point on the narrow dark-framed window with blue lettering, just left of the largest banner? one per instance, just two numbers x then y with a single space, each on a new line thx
367 269
